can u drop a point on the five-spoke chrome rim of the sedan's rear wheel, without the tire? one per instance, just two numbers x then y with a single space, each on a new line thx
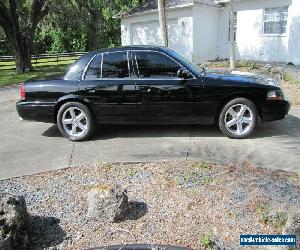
74 121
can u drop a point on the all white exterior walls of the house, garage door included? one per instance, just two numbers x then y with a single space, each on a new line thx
200 33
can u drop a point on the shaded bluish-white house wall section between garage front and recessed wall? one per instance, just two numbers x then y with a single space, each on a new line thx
205 33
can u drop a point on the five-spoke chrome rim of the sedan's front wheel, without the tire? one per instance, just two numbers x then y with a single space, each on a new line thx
239 119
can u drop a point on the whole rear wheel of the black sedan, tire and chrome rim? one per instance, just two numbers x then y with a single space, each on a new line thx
75 121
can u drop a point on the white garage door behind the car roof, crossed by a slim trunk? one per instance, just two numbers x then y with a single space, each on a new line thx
147 33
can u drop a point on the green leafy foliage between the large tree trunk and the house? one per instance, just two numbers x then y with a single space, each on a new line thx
81 25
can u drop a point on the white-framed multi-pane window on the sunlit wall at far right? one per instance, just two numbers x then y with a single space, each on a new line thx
275 20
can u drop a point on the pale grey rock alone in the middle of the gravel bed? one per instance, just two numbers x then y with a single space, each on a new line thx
107 203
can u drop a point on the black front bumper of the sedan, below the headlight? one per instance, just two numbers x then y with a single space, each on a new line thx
275 110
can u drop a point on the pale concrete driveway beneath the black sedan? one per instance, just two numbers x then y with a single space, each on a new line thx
30 147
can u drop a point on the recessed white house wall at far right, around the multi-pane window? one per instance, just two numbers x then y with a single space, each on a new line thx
251 43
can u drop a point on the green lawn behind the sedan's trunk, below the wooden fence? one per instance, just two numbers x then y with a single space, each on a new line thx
45 70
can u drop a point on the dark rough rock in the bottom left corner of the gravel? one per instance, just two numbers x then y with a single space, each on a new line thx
15 222
